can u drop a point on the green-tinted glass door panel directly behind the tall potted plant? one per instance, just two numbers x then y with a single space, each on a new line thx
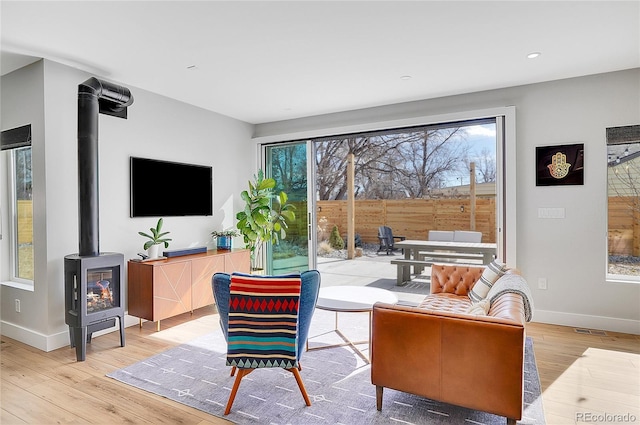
288 164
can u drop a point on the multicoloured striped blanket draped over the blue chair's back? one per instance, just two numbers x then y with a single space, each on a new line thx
263 321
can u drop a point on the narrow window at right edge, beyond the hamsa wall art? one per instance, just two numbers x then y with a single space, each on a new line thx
623 180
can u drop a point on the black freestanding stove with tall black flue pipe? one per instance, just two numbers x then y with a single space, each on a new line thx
94 281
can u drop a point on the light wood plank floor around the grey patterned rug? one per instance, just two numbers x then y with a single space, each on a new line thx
580 374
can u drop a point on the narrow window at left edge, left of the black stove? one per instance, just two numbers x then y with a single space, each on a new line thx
16 147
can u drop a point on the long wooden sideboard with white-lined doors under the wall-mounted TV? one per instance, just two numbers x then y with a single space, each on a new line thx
164 288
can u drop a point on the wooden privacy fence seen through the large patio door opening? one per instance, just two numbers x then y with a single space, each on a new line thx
412 218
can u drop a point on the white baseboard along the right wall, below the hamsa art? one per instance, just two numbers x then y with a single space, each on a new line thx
612 324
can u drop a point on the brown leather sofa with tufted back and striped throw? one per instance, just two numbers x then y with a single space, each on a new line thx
440 351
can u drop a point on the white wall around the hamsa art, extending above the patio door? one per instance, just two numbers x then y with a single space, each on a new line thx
570 253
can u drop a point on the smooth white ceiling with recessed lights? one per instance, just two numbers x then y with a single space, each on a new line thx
267 61
